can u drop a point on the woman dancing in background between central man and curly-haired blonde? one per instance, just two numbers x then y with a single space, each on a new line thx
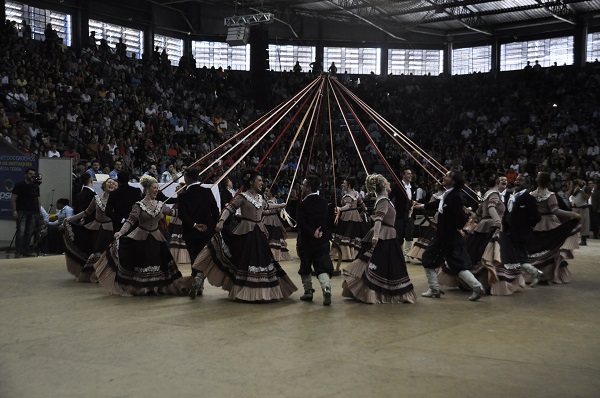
351 228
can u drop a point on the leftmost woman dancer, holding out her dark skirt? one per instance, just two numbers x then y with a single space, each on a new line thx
84 244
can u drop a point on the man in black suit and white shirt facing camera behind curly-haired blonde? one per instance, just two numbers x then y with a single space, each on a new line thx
403 195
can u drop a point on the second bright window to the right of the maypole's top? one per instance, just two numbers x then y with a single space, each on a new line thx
415 62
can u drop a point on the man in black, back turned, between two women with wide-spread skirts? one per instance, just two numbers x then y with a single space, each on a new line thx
198 211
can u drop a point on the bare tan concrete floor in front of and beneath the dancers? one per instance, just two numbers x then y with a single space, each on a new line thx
60 338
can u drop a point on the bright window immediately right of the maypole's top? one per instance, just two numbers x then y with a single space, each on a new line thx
353 60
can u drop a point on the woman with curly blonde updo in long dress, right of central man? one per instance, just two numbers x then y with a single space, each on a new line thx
379 275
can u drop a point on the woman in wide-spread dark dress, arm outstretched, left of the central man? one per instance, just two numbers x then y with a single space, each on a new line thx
241 262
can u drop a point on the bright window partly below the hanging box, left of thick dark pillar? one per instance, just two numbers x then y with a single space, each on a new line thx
219 54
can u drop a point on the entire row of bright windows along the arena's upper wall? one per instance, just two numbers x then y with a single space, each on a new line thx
513 56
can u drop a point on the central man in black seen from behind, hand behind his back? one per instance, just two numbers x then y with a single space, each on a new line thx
313 240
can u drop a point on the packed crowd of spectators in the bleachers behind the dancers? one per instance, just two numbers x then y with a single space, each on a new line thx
104 105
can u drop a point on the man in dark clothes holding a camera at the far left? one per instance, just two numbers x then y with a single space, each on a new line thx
26 208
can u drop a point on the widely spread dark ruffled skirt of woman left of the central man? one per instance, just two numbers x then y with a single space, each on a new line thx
244 266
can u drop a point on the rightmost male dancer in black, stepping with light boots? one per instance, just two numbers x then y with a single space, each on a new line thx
520 218
